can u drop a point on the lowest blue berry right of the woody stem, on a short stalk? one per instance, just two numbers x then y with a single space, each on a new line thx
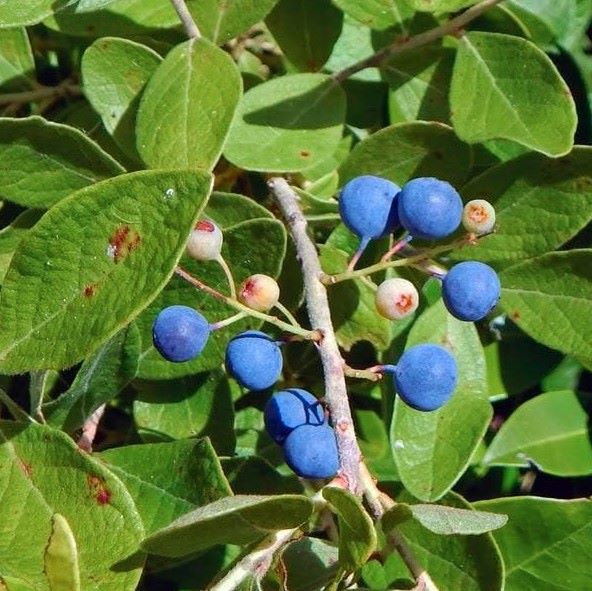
425 376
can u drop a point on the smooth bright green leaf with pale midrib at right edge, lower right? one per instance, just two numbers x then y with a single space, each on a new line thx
550 431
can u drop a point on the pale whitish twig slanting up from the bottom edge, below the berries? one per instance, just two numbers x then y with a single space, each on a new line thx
256 563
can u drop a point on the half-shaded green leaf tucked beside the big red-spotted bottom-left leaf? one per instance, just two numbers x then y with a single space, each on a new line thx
166 480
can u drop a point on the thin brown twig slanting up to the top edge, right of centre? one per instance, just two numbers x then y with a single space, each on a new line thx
448 28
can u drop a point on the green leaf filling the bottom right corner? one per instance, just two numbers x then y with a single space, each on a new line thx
546 543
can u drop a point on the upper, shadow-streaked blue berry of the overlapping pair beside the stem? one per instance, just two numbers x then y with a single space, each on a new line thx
289 409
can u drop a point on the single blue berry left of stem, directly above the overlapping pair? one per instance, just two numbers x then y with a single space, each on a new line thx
254 360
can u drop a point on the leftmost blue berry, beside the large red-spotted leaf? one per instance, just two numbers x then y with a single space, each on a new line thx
180 333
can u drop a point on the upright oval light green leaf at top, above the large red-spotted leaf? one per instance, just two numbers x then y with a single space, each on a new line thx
187 107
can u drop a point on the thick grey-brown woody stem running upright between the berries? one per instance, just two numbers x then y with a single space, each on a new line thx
317 305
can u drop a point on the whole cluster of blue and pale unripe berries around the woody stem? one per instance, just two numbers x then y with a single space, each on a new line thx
425 376
